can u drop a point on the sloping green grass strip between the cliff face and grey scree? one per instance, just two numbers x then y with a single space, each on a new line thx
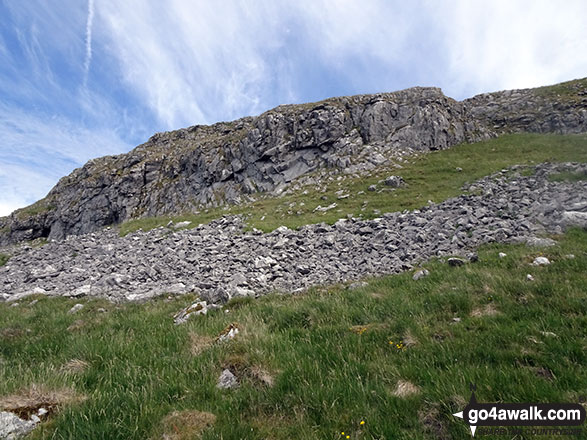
431 176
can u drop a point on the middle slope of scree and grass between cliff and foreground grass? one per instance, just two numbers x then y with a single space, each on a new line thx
366 233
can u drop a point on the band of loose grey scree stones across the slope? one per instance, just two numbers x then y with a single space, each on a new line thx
220 261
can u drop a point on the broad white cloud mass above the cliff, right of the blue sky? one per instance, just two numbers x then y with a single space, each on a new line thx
195 61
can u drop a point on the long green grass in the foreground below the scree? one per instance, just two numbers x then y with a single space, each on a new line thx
328 351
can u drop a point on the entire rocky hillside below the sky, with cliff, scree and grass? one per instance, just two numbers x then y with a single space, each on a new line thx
355 297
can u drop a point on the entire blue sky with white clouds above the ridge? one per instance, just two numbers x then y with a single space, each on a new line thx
86 78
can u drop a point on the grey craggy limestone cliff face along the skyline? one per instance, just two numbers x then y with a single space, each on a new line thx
200 166
